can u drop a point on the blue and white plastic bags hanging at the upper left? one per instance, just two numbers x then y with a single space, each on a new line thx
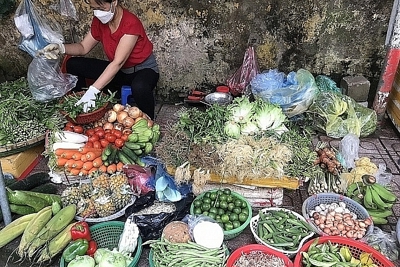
35 30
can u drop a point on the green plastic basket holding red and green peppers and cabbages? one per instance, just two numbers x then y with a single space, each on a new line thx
106 235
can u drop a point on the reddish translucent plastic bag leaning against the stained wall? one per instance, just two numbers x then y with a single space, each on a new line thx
247 71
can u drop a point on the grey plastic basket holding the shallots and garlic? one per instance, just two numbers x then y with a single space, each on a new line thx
327 198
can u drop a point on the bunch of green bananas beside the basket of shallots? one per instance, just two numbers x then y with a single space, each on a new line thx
377 199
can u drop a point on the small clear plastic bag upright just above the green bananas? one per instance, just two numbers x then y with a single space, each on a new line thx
348 148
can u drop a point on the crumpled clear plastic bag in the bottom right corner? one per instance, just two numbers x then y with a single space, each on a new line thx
385 243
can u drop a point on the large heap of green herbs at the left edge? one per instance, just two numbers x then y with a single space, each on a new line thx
22 117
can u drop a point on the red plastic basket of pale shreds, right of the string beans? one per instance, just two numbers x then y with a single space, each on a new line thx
256 247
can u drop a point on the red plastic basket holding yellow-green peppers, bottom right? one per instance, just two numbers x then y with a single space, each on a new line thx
356 248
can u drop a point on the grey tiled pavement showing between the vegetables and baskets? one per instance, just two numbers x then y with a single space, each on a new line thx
382 147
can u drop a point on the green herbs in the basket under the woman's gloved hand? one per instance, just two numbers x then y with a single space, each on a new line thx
67 104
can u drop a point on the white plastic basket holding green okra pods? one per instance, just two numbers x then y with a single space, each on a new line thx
254 225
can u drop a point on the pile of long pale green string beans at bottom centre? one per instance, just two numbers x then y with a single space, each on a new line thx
189 254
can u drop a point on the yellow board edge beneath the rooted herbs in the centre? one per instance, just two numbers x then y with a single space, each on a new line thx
284 182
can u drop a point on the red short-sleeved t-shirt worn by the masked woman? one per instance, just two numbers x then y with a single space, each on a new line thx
130 24
